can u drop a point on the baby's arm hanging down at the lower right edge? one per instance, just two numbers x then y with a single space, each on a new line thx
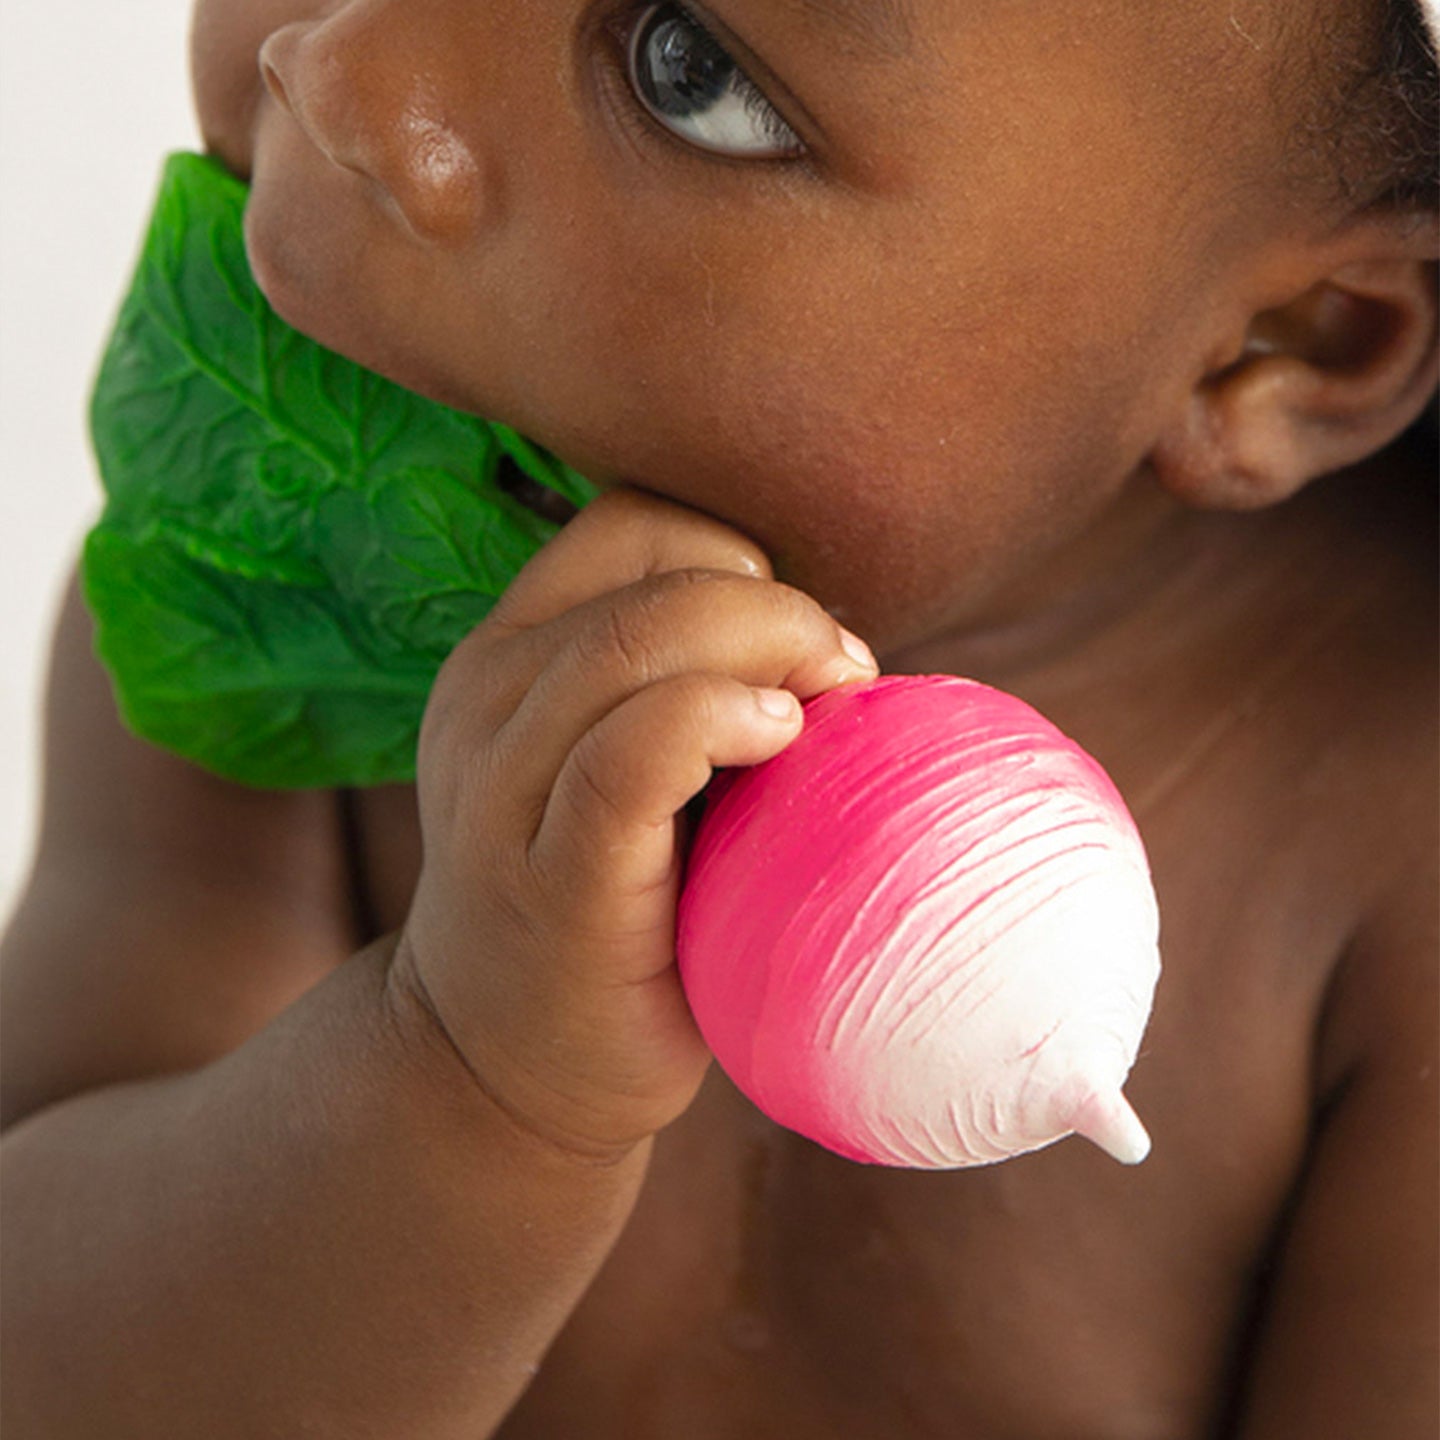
1350 1343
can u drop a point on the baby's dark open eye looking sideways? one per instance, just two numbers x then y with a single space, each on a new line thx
692 87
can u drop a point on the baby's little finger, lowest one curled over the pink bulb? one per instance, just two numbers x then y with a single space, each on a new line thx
607 839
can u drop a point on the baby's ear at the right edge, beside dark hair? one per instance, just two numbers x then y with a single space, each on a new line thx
1333 366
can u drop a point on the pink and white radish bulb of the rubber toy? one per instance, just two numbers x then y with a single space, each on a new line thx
925 934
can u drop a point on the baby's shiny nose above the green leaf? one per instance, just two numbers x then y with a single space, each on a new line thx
371 96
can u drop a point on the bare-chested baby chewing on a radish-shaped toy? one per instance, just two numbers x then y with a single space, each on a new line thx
1074 348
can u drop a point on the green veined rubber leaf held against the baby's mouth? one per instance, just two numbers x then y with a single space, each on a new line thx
292 545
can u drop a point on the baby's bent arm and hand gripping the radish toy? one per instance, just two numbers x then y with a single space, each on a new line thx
372 1215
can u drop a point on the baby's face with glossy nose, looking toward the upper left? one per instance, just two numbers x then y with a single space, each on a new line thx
899 300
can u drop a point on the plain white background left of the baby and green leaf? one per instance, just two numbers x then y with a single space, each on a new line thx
91 100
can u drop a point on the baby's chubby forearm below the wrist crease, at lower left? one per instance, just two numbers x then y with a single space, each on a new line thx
329 1232
